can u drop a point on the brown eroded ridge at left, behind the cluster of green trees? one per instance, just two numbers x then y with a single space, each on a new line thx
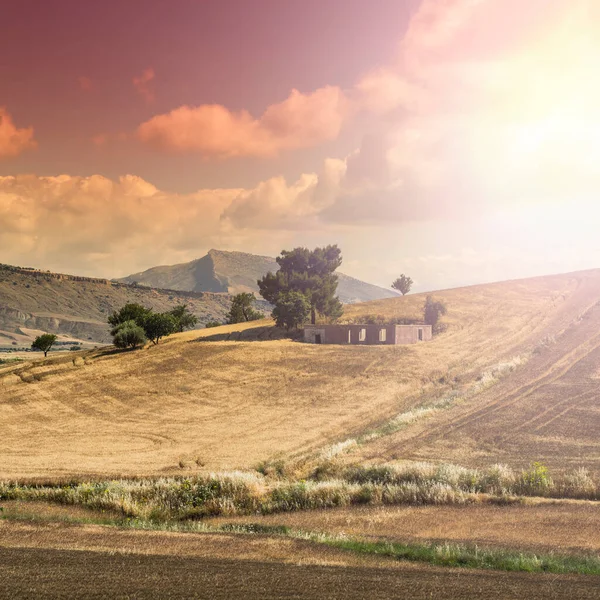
79 306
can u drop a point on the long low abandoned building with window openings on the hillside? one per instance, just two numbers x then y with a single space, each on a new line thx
366 334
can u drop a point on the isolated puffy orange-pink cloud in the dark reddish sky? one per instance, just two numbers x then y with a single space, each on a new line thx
212 130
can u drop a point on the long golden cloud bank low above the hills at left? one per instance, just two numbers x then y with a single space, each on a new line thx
97 225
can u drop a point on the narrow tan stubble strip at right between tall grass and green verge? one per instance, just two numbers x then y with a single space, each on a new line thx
562 527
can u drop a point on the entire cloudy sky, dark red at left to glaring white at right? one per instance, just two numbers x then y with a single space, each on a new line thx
457 141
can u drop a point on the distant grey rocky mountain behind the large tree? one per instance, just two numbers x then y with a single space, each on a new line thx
236 272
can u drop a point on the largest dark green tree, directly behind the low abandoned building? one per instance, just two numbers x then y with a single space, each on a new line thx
310 273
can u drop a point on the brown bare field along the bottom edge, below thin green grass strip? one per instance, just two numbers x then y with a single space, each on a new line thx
63 561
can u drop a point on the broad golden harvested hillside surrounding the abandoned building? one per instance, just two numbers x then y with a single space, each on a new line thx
520 359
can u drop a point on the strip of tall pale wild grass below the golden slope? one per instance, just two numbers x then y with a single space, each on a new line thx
240 493
